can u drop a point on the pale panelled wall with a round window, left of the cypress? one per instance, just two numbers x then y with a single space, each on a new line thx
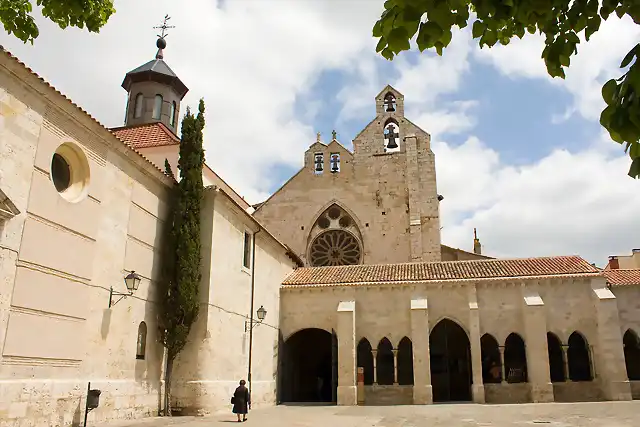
64 255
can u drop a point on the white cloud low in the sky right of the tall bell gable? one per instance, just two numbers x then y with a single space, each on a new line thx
566 203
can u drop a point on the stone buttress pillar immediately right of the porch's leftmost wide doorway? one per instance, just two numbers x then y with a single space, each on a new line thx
346 330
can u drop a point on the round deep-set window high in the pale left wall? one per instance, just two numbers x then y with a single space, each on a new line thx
70 172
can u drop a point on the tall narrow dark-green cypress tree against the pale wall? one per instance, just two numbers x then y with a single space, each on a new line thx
179 288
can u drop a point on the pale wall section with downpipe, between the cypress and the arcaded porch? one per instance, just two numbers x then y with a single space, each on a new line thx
216 358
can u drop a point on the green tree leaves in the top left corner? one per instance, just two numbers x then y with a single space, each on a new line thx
16 15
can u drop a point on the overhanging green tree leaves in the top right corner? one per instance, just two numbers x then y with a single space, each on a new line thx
561 22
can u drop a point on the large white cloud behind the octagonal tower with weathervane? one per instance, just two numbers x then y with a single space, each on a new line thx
246 59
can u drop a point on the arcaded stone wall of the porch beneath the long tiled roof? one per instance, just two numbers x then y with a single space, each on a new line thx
503 307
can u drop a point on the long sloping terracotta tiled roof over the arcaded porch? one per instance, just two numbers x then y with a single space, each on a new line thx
441 271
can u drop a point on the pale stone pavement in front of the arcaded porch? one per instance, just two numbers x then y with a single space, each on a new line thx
601 414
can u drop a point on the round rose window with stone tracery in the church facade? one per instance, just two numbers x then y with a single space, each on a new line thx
335 247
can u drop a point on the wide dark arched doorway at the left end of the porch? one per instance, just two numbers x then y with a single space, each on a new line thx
309 371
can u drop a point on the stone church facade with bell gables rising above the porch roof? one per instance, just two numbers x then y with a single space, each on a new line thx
391 196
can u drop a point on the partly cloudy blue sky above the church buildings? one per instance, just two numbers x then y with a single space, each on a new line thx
519 156
